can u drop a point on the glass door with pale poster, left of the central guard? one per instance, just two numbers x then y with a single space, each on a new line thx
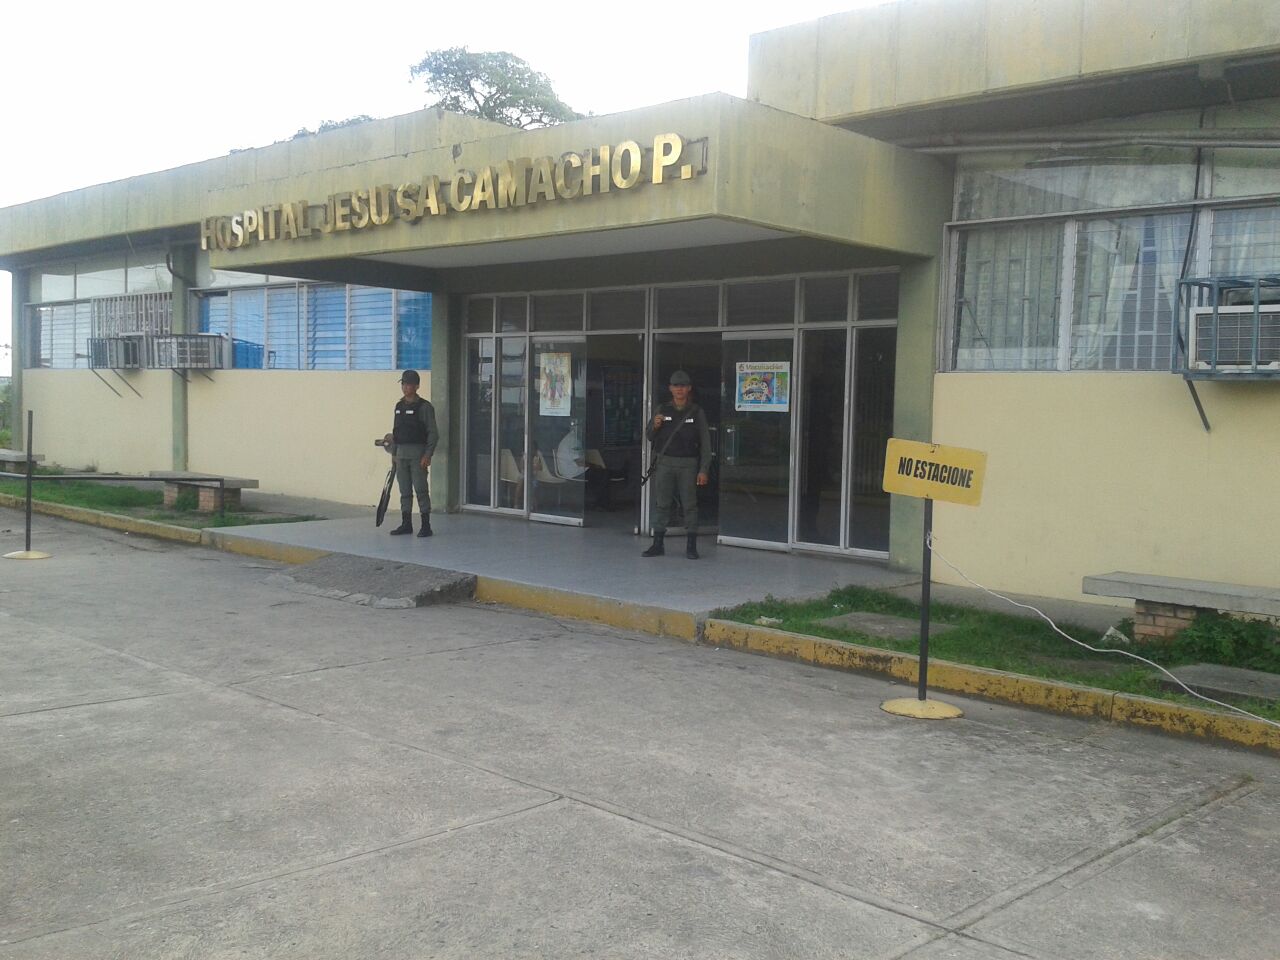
557 423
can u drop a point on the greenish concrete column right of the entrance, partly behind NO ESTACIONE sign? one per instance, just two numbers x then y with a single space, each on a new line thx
913 396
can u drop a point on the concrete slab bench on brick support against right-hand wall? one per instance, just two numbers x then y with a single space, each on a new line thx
1163 606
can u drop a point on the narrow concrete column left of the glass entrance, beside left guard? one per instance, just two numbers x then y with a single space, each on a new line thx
447 380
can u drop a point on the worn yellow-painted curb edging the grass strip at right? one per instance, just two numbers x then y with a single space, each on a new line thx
998 685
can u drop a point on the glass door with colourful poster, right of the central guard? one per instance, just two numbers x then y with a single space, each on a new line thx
756 451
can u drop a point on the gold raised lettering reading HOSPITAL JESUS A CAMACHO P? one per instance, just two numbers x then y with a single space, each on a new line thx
504 186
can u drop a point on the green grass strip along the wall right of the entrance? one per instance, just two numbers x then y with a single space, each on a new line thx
1028 647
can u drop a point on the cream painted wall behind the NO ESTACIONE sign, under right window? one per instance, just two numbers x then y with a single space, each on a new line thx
1095 473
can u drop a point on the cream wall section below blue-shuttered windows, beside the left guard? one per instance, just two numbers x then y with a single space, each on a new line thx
307 433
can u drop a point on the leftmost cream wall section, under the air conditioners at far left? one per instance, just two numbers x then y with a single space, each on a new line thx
81 423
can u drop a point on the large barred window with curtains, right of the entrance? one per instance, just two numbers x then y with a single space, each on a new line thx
1094 294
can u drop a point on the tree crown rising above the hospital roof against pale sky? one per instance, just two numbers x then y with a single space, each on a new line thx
493 86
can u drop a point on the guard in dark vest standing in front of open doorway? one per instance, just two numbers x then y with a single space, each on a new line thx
683 455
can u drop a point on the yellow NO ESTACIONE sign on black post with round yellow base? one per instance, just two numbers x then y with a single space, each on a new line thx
931 472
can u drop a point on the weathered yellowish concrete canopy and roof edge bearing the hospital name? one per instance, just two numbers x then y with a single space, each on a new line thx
732 172
